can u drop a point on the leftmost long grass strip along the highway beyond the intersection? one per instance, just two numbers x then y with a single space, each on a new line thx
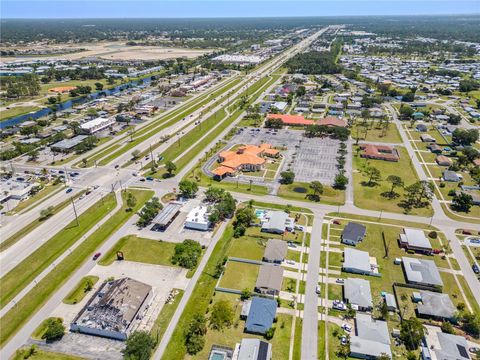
171 119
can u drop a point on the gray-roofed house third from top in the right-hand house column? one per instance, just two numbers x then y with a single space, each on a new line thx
436 305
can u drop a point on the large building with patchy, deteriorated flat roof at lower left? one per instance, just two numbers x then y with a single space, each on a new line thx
112 310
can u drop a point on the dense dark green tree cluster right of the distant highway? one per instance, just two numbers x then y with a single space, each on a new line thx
316 62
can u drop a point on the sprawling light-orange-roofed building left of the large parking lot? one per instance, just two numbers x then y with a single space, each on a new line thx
245 158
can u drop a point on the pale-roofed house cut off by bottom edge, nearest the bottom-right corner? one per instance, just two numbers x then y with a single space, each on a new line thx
440 346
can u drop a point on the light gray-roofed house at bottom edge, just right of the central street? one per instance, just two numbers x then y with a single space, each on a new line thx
371 338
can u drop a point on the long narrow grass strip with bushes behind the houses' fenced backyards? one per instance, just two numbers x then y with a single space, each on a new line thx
200 297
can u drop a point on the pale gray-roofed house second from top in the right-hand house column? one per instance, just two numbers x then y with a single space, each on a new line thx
421 272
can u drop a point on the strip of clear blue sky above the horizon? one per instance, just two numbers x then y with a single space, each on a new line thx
228 8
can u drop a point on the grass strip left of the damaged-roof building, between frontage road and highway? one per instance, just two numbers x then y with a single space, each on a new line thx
14 319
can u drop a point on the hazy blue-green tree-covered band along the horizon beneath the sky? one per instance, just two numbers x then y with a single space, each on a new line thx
456 27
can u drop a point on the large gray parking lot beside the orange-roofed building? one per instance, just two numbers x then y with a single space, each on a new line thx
309 158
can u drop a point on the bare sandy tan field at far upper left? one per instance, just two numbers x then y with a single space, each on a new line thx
117 51
